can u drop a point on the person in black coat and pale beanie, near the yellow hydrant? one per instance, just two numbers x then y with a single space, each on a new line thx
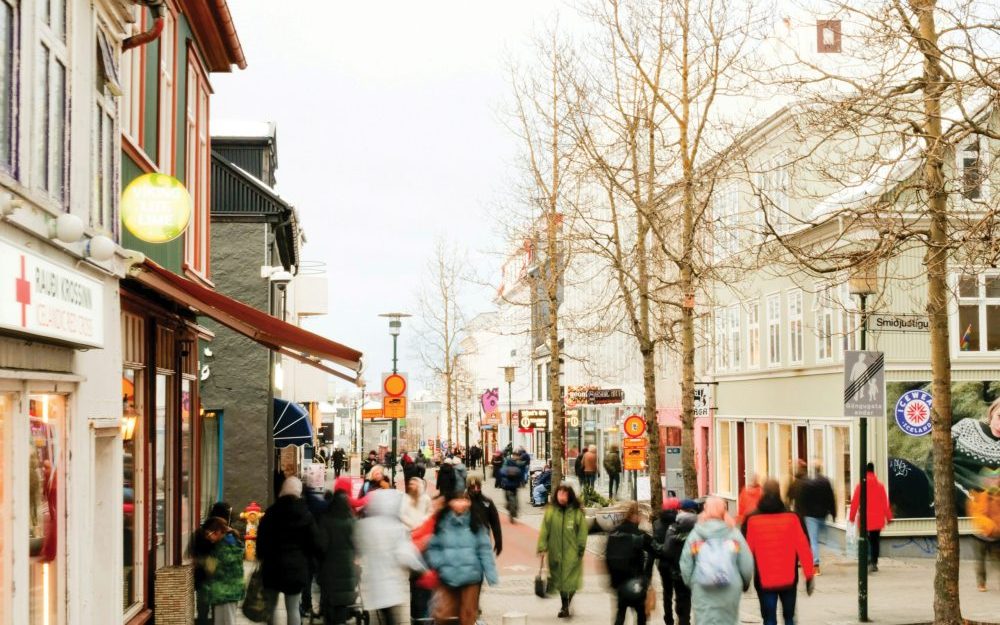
286 538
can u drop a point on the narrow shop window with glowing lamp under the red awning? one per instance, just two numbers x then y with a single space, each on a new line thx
132 389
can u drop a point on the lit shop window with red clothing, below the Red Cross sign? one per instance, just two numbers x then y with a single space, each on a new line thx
46 508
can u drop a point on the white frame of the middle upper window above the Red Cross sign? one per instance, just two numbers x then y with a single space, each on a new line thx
45 167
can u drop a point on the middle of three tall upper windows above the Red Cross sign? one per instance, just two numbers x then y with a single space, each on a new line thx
50 131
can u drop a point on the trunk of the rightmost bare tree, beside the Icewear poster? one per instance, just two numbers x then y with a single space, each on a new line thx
947 608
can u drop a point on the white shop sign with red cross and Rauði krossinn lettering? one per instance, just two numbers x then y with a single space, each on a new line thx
42 298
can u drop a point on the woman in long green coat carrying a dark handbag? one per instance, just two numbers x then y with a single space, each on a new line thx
564 539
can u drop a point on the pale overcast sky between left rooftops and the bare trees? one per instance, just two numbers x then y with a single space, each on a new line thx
389 134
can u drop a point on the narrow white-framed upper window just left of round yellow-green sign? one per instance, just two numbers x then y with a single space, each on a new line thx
104 153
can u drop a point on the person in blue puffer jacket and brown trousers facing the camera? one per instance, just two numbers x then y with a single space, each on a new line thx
461 553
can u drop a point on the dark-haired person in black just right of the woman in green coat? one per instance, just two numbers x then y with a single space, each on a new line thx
629 565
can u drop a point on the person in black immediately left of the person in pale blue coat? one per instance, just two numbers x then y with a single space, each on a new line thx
670 532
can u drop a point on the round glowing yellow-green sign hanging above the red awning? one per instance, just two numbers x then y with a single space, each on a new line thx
156 208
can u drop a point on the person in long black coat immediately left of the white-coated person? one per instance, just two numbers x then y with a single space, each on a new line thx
337 575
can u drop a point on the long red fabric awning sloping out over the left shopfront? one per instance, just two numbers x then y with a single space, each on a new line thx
269 331
